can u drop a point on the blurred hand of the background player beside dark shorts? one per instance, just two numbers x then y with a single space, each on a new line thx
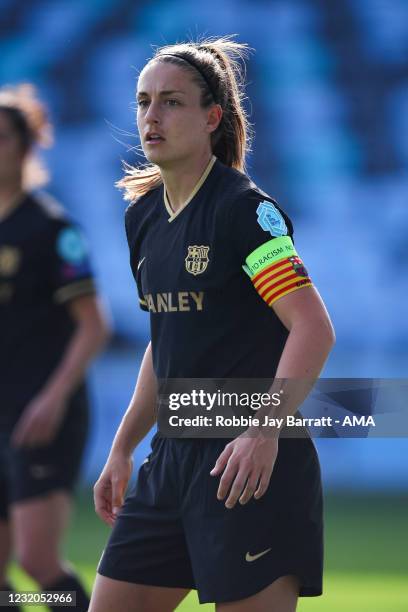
40 421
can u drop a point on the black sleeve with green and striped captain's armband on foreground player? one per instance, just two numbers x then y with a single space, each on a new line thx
262 236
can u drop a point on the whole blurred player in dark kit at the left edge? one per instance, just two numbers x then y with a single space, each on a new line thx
51 326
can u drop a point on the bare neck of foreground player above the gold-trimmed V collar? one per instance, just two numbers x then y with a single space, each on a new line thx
179 182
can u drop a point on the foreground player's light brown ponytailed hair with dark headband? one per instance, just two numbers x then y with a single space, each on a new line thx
216 66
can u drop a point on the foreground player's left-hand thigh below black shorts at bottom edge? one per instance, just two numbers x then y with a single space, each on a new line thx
112 595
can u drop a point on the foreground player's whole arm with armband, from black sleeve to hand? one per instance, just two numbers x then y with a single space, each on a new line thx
281 280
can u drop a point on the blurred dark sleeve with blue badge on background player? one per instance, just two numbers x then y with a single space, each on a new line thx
71 274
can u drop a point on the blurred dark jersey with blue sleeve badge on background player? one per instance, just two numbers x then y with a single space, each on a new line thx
43 264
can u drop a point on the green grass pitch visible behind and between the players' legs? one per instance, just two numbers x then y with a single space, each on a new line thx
366 556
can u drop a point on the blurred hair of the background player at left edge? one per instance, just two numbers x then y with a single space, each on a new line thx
28 116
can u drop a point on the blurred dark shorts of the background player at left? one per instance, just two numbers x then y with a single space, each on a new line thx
27 473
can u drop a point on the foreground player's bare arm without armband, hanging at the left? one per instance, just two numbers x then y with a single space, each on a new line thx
139 418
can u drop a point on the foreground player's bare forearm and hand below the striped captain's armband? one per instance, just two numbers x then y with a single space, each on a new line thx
247 462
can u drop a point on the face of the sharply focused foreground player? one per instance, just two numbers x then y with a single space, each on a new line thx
172 124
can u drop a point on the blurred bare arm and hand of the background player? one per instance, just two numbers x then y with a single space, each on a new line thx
42 416
